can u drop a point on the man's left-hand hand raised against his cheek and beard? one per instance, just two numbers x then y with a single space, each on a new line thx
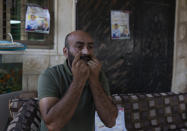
80 71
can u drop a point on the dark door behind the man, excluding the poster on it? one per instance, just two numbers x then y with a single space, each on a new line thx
142 63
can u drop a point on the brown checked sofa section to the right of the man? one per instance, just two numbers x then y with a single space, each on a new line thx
154 112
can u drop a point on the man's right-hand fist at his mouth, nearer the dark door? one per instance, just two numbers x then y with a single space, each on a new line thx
95 67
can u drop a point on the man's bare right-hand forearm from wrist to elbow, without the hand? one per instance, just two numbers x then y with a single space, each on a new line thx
106 109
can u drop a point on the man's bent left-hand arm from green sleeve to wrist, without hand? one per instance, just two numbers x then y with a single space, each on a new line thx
57 112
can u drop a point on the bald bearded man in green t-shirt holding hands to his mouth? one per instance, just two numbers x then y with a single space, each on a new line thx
70 93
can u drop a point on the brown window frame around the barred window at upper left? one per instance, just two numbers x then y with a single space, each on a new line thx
48 42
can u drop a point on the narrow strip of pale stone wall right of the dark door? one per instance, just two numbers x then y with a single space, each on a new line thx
180 53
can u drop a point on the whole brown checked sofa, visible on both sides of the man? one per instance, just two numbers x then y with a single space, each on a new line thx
143 112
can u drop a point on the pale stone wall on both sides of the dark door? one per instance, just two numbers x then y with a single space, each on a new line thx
34 61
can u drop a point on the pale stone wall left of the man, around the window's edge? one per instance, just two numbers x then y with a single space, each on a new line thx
36 60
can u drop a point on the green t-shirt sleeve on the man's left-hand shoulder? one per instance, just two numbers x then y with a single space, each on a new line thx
46 85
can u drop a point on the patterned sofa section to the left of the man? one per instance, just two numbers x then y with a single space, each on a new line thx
28 116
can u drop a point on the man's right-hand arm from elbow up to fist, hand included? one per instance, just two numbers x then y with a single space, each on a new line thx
107 111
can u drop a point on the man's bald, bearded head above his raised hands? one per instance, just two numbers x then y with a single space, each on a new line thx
78 42
